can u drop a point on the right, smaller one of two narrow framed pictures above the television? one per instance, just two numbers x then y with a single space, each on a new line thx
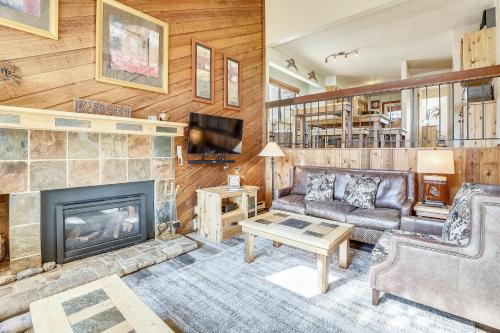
232 83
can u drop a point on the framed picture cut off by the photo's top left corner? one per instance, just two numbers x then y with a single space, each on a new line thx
39 17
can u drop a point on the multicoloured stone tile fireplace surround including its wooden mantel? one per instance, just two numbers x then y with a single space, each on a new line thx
38 159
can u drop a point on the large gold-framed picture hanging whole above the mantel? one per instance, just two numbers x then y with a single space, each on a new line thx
131 47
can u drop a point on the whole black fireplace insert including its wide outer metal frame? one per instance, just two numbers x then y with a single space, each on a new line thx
82 222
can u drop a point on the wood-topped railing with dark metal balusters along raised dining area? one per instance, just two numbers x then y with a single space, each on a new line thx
455 109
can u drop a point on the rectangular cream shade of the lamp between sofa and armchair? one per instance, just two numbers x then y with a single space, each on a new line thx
435 162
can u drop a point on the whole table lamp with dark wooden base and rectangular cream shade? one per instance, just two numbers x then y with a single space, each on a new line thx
435 165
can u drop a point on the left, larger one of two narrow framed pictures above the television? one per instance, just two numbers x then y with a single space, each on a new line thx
203 64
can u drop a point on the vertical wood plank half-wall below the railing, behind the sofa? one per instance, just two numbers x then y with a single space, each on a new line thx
475 165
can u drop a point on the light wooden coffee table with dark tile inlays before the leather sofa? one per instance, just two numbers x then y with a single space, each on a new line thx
308 233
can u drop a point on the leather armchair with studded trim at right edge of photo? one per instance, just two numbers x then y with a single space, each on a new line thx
460 279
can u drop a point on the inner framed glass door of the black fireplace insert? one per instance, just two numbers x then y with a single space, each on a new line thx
88 228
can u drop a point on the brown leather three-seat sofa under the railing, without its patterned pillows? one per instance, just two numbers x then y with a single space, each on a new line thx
395 199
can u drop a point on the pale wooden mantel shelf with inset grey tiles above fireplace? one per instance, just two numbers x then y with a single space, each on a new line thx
17 117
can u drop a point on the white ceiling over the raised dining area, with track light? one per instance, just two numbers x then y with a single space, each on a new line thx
419 31
